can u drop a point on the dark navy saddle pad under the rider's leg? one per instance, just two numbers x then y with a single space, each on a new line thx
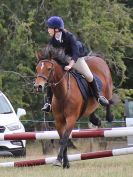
84 85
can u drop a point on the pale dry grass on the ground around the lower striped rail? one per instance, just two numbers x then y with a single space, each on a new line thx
106 167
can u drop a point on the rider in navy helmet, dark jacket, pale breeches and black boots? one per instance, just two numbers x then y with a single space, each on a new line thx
60 38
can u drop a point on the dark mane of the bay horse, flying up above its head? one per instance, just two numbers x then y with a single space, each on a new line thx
49 52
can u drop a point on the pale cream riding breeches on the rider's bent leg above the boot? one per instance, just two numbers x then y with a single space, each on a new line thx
82 67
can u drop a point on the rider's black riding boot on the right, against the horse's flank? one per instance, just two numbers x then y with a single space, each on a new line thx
101 99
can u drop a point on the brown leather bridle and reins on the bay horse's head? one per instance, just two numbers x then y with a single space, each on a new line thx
51 72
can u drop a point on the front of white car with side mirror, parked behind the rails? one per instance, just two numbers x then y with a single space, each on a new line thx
10 123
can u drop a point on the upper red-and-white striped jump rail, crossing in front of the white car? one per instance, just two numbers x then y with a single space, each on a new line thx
87 133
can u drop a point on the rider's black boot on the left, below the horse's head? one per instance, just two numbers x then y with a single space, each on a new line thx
47 105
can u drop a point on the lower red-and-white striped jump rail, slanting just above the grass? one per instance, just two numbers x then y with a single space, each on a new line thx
75 157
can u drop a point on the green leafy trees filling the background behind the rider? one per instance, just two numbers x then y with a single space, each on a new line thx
105 26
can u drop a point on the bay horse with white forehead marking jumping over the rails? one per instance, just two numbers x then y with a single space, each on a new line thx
67 101
